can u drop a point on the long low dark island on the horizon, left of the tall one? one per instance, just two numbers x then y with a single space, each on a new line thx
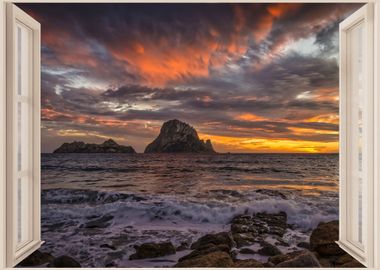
109 146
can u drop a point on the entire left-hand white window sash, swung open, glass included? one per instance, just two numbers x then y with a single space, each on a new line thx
23 135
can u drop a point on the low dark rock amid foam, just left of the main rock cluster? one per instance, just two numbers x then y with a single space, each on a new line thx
153 250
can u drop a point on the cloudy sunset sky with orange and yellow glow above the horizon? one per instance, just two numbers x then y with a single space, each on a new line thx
250 77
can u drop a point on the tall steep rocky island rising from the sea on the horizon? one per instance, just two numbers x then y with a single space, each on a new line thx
178 137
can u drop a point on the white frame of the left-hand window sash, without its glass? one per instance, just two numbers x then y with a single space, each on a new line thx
17 252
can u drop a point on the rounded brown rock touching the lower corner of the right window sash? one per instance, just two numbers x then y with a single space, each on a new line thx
323 238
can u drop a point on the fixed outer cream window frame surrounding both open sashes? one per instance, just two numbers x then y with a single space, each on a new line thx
374 262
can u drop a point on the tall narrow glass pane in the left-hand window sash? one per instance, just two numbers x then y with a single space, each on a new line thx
23 135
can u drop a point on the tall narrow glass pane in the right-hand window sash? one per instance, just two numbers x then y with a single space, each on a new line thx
356 131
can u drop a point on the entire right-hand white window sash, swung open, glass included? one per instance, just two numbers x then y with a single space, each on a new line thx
356 135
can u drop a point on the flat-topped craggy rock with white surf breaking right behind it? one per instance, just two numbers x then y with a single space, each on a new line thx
260 223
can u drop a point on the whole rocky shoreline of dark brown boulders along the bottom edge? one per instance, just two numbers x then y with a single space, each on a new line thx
248 235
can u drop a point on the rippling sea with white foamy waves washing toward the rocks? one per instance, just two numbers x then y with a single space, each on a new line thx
97 207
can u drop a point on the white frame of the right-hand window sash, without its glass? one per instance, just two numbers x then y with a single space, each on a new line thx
363 252
